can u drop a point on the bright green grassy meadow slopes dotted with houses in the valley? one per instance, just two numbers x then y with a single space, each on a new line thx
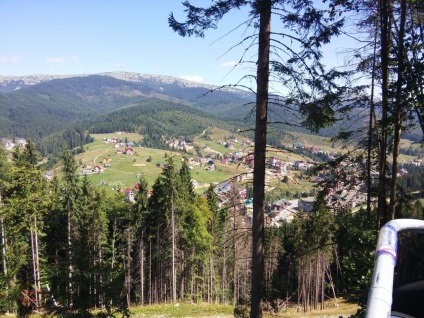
115 169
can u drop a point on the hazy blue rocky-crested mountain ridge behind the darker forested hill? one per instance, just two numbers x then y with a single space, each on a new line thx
38 105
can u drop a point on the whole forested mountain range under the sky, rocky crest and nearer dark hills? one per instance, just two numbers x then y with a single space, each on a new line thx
44 106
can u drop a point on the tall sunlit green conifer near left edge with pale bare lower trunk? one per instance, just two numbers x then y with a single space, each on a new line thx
26 203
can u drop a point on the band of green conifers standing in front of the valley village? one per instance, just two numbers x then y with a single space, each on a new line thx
68 247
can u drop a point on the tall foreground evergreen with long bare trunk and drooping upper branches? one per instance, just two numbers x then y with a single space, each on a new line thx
315 90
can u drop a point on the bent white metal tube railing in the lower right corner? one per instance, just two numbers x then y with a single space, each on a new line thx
380 294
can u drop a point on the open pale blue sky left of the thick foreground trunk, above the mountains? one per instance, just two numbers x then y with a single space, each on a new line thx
93 36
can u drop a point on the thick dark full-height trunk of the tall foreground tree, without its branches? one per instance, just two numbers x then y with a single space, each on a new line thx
257 286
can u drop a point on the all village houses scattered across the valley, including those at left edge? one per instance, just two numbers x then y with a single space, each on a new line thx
347 191
